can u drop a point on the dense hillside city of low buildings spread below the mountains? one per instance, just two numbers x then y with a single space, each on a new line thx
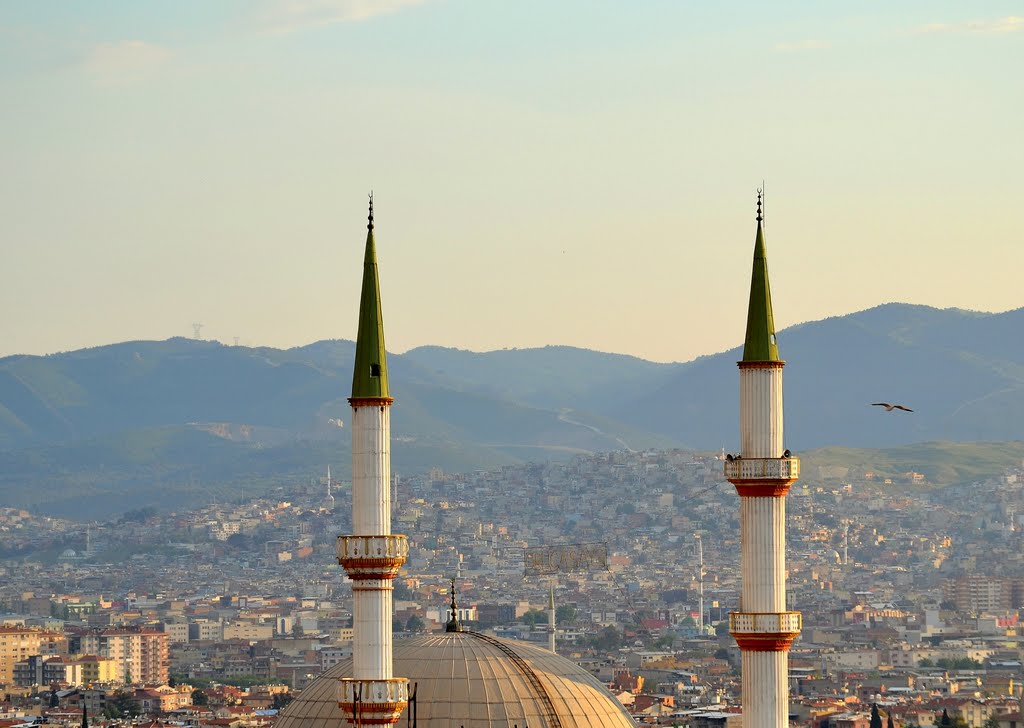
910 595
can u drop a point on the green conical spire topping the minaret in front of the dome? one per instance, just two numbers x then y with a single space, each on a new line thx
370 374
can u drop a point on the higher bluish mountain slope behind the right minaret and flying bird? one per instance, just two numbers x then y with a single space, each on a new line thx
963 373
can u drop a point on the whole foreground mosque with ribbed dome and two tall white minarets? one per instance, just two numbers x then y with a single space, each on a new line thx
464 679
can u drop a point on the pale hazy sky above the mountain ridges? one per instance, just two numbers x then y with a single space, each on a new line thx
553 173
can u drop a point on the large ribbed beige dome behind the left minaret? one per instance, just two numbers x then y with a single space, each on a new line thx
477 681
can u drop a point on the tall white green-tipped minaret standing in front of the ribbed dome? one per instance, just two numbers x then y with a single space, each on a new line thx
374 555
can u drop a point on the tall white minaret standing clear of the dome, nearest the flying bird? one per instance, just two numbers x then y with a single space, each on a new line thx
763 474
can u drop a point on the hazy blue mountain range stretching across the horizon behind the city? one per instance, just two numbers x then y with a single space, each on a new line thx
168 423
